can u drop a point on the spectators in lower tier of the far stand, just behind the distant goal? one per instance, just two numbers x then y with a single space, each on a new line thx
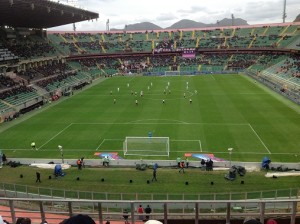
133 64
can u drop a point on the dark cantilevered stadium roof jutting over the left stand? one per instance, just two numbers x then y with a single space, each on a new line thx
40 14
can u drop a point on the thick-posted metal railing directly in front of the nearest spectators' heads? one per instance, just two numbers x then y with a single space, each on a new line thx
164 210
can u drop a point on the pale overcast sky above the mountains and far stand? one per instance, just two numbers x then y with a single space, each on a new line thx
164 13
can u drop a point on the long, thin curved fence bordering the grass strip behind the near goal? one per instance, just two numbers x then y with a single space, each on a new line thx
24 191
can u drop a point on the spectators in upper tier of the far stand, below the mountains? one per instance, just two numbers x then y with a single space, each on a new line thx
85 43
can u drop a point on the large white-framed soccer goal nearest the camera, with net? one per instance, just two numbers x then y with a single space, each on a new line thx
146 146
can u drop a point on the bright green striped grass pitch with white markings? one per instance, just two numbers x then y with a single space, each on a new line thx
227 111
